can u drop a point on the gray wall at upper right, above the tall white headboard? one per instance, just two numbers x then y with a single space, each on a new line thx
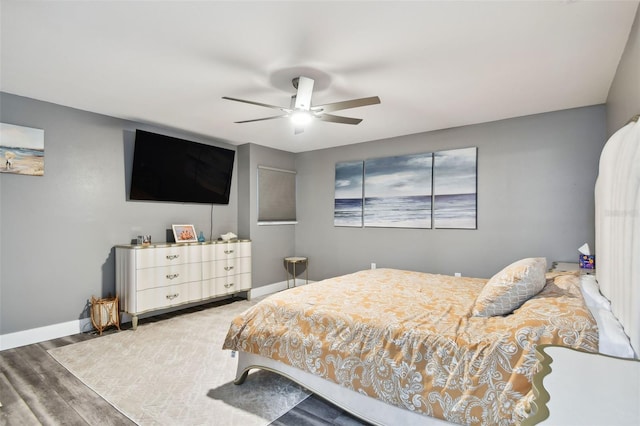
624 95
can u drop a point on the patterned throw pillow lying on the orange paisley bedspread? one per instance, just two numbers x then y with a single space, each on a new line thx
511 287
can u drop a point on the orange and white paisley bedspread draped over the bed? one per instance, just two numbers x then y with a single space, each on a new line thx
409 339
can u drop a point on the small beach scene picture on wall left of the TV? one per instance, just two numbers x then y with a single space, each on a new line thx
21 150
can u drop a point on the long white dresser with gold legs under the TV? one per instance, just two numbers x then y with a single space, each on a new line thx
159 276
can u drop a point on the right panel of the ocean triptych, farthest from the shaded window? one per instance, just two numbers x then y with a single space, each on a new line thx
455 189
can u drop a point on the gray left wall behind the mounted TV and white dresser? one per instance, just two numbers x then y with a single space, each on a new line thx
58 230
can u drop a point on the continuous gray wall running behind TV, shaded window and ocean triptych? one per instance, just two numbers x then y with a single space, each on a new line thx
57 232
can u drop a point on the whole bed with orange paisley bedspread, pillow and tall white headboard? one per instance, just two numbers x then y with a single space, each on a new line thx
406 347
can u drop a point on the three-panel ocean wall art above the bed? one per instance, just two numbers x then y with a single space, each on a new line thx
428 190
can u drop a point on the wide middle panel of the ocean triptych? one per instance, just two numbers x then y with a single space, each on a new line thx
398 191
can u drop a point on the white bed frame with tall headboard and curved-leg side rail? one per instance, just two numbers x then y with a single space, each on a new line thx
617 243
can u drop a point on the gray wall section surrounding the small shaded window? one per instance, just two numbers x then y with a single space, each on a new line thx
271 243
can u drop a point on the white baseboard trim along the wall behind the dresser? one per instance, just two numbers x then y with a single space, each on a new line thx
83 325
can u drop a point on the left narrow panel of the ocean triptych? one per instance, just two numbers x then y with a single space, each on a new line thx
348 194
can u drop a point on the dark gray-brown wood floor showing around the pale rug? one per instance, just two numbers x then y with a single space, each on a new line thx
36 390
